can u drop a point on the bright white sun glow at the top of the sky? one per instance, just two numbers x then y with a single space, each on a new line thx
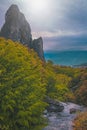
37 10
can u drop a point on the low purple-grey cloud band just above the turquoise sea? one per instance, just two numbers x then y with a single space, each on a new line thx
67 42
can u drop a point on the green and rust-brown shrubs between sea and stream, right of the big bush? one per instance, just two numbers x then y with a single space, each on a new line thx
70 83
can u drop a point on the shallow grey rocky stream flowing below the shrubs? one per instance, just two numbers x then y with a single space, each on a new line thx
63 120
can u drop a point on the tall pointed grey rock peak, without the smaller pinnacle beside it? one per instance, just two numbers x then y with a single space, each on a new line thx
16 27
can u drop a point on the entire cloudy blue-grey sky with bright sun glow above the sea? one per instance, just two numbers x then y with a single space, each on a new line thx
61 23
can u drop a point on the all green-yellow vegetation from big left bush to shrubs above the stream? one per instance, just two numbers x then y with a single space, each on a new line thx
25 81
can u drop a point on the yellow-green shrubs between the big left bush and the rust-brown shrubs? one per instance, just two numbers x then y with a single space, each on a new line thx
58 83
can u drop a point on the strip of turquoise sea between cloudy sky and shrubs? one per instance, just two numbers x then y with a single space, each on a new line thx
67 58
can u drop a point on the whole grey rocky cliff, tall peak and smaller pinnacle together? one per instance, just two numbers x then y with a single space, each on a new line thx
18 29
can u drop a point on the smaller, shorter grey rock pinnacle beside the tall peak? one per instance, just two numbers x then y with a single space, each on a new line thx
37 45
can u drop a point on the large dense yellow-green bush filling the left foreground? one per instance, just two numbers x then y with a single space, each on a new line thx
21 88
